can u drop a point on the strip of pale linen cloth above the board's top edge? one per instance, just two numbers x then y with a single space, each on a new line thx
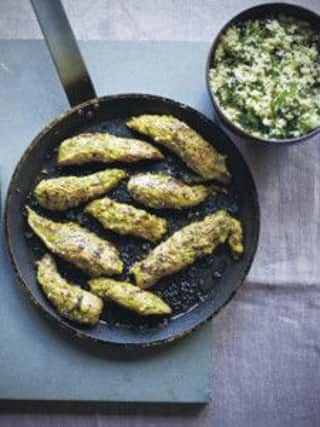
190 20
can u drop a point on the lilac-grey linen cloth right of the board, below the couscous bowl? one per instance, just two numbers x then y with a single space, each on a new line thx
266 341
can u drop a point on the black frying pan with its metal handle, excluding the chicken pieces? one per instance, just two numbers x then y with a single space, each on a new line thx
197 292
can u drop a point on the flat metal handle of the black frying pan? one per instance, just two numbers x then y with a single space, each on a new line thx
64 50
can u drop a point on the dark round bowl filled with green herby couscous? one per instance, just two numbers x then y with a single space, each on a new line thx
263 74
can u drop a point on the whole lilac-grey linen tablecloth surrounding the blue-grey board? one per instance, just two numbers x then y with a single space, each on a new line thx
266 362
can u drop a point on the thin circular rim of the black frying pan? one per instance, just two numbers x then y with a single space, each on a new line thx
85 333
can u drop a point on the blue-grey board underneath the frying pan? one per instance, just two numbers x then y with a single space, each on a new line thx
36 360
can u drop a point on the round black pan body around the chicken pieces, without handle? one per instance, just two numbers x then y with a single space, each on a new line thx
195 293
